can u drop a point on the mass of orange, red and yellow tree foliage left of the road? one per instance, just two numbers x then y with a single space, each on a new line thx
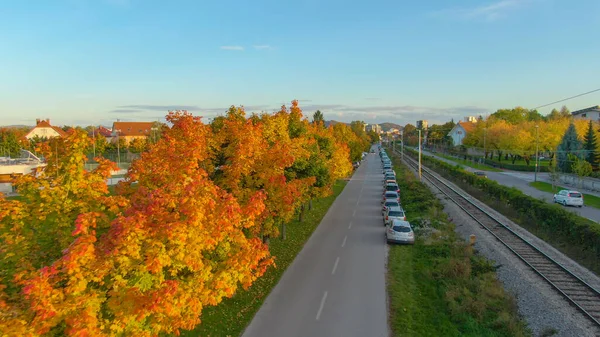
183 233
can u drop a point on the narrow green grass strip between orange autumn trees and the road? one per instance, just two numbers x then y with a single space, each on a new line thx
232 315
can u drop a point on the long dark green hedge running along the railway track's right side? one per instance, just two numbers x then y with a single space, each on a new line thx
572 228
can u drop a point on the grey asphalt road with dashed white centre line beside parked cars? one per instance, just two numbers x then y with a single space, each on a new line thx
336 284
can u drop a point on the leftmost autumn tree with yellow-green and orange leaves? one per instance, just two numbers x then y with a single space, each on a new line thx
37 233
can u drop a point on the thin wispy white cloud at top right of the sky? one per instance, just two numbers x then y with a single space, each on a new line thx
490 12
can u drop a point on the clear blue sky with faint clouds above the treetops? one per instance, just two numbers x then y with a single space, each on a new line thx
81 62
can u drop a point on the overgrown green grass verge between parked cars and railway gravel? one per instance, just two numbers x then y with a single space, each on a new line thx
440 286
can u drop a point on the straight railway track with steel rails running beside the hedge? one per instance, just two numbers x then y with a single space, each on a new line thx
585 297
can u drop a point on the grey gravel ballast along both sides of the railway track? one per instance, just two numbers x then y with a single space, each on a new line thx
546 312
